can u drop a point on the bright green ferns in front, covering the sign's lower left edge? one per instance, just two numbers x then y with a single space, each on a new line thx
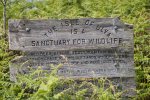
39 86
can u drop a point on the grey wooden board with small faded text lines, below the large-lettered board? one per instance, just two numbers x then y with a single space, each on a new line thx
80 63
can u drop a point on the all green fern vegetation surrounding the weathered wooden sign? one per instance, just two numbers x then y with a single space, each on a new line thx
136 12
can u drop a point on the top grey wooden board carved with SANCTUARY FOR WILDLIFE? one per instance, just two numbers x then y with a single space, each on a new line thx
69 34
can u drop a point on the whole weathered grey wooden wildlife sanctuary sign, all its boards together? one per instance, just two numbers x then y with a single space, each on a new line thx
87 48
